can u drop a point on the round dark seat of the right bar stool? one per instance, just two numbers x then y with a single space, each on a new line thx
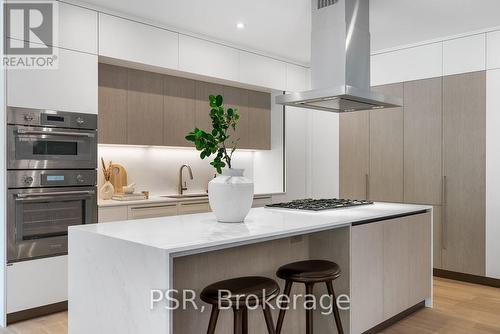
309 271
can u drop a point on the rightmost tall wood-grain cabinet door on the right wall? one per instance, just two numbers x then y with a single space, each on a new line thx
464 126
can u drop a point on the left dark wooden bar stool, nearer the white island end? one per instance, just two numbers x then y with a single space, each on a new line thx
260 288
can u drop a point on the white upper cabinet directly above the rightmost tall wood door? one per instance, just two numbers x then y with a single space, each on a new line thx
462 55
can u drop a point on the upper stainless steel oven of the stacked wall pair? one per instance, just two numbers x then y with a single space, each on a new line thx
46 139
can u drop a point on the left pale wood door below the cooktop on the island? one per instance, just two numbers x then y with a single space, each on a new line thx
367 269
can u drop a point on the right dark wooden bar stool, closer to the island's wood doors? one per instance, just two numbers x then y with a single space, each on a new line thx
309 273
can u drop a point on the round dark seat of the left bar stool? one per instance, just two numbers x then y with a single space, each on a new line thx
259 288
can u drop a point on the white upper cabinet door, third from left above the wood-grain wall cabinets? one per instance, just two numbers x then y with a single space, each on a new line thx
262 71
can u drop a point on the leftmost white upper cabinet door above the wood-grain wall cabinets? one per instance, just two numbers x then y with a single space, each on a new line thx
136 42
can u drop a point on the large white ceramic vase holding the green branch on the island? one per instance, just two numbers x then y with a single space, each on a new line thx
230 195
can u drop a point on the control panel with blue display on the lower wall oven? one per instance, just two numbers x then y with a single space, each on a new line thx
51 178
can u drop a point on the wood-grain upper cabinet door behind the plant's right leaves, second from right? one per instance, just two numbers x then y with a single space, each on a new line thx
238 98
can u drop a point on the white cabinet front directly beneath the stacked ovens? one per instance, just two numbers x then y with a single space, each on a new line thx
37 283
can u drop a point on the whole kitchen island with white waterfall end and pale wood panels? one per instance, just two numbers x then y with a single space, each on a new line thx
117 269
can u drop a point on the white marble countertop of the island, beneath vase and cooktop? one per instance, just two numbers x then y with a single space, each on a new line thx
189 234
